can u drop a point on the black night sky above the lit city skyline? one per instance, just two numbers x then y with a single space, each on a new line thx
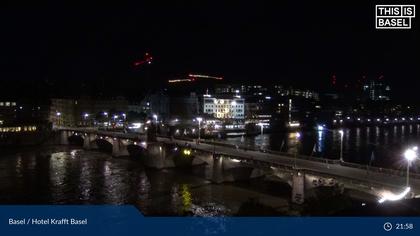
290 42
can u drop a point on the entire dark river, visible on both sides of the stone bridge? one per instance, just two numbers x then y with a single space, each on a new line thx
71 175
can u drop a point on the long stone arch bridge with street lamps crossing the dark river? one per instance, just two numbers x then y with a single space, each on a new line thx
225 162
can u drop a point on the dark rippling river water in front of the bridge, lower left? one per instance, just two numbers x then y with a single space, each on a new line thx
63 175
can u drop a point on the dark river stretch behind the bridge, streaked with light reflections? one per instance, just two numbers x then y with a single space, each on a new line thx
387 143
